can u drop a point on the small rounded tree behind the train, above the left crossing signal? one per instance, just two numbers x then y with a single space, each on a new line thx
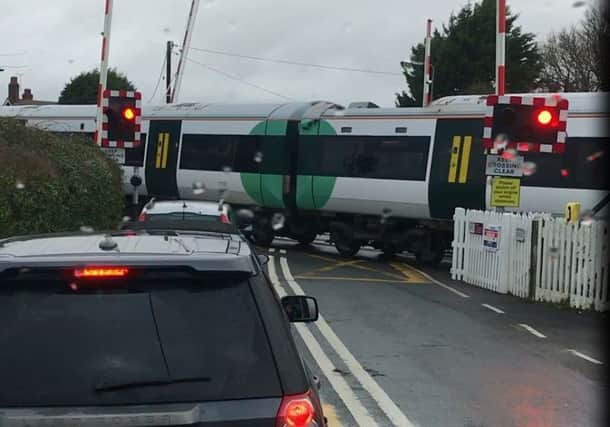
82 89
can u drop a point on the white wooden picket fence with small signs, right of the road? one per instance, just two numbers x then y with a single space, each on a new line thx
536 256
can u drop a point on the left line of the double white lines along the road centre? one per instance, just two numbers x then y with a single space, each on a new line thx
338 383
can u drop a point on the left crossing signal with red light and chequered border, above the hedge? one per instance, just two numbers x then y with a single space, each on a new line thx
121 119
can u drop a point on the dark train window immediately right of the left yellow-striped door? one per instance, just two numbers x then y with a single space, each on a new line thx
207 152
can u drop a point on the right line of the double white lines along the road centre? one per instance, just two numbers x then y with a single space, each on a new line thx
386 404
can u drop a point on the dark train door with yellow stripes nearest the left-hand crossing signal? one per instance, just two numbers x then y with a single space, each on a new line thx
162 158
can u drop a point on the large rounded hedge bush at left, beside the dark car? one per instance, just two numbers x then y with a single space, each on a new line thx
53 182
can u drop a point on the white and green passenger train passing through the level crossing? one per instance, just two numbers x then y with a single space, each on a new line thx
390 178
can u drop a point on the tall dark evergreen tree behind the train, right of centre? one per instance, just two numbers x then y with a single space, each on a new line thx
464 57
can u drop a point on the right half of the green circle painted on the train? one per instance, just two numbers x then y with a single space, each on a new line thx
313 192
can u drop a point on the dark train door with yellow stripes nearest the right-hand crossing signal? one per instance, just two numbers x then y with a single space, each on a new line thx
457 175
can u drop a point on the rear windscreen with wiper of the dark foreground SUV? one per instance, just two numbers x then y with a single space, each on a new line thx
132 341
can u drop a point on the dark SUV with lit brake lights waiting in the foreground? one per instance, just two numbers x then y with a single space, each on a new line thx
148 327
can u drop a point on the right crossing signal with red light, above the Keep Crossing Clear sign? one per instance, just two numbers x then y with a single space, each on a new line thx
536 124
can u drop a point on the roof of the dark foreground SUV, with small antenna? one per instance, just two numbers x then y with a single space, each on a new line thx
203 251
